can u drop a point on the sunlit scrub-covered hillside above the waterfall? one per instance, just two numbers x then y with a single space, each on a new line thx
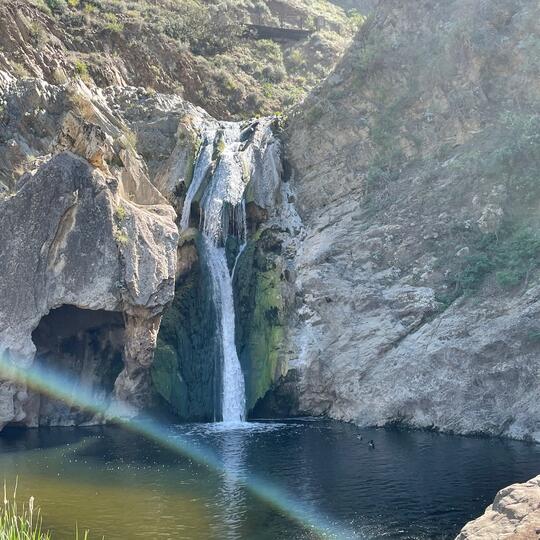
192 48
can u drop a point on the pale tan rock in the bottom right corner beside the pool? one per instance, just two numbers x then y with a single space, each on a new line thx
514 514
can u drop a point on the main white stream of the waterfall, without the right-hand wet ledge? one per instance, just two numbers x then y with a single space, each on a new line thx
223 211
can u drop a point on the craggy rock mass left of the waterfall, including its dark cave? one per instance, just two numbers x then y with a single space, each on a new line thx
82 229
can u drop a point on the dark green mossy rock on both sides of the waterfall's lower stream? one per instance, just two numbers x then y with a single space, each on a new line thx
186 372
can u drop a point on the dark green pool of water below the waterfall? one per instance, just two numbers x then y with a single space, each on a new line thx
414 485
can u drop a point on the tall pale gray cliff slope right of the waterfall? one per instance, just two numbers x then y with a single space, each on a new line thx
417 273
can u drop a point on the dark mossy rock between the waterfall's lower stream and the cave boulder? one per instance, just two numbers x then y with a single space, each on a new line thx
185 374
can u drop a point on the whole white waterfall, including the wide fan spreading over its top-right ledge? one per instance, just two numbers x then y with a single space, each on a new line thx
229 158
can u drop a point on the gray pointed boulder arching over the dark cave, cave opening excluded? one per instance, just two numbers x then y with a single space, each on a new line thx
68 238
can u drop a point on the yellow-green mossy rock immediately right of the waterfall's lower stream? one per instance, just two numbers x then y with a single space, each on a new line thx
260 314
